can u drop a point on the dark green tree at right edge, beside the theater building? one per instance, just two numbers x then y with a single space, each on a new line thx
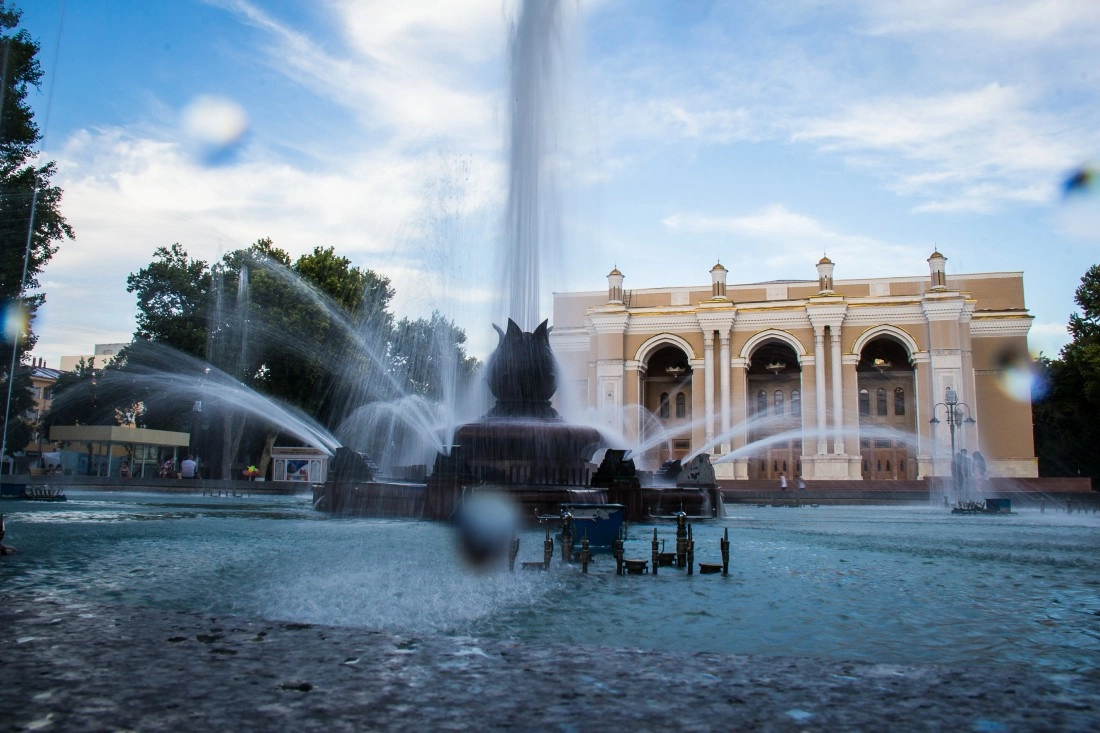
1065 408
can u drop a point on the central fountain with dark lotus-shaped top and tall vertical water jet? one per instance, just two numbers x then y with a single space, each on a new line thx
523 447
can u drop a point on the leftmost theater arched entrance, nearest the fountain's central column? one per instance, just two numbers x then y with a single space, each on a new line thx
666 393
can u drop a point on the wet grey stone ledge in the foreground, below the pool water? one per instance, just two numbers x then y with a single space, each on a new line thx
71 666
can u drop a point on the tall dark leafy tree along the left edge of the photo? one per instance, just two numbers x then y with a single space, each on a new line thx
31 223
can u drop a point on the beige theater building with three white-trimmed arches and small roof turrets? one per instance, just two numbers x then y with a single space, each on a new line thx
875 379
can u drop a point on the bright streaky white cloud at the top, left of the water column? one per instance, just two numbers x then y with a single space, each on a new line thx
411 69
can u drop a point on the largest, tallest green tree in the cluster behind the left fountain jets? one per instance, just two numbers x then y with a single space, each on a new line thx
295 333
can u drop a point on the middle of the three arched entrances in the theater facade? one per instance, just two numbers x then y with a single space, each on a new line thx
775 409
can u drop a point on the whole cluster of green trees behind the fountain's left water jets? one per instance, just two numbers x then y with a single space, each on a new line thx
316 333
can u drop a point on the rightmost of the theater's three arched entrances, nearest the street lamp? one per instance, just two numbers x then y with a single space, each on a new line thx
887 411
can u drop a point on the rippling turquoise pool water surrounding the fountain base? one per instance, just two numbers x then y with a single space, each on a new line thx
885 585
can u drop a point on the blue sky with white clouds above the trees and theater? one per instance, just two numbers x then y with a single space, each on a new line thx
755 134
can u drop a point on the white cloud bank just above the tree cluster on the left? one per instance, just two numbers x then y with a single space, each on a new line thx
126 195
